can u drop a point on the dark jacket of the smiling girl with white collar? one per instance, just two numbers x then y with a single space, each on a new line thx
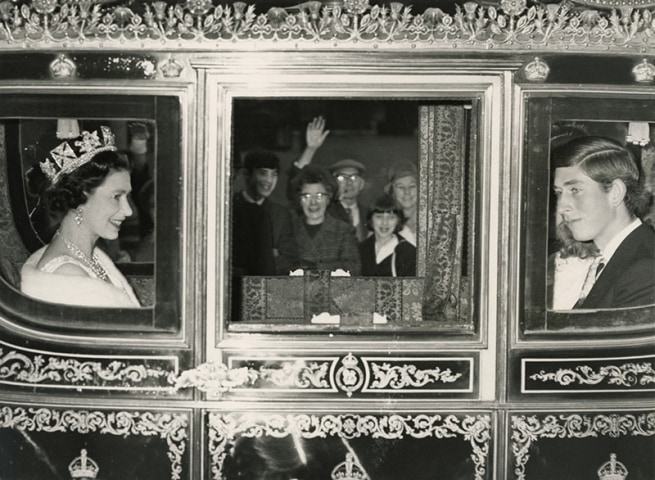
404 258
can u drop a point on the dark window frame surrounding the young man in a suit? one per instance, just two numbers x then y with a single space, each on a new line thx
542 111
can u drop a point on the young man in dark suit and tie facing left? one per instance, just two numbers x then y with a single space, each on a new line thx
599 199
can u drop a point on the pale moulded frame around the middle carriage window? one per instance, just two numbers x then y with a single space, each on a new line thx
226 85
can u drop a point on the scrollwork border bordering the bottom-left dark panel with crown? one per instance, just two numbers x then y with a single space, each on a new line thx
168 426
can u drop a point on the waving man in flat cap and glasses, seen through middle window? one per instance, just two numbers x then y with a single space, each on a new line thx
349 174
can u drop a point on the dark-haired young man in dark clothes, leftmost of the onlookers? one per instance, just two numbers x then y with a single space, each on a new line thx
262 239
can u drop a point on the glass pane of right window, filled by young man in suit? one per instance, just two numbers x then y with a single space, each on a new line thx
604 245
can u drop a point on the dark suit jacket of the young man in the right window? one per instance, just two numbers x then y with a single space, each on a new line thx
628 279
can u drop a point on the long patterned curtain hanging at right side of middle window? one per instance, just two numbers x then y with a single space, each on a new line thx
442 207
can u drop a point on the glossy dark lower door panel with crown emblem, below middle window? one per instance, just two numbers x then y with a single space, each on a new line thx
385 457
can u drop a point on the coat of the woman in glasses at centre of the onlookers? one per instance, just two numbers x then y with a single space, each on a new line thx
334 245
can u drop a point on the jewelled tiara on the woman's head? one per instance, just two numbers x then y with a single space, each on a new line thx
70 155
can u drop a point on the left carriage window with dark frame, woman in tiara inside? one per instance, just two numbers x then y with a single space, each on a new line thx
115 160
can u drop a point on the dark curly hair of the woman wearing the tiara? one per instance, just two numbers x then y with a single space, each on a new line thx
71 190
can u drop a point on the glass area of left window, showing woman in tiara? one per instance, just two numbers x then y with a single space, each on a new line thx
89 199
